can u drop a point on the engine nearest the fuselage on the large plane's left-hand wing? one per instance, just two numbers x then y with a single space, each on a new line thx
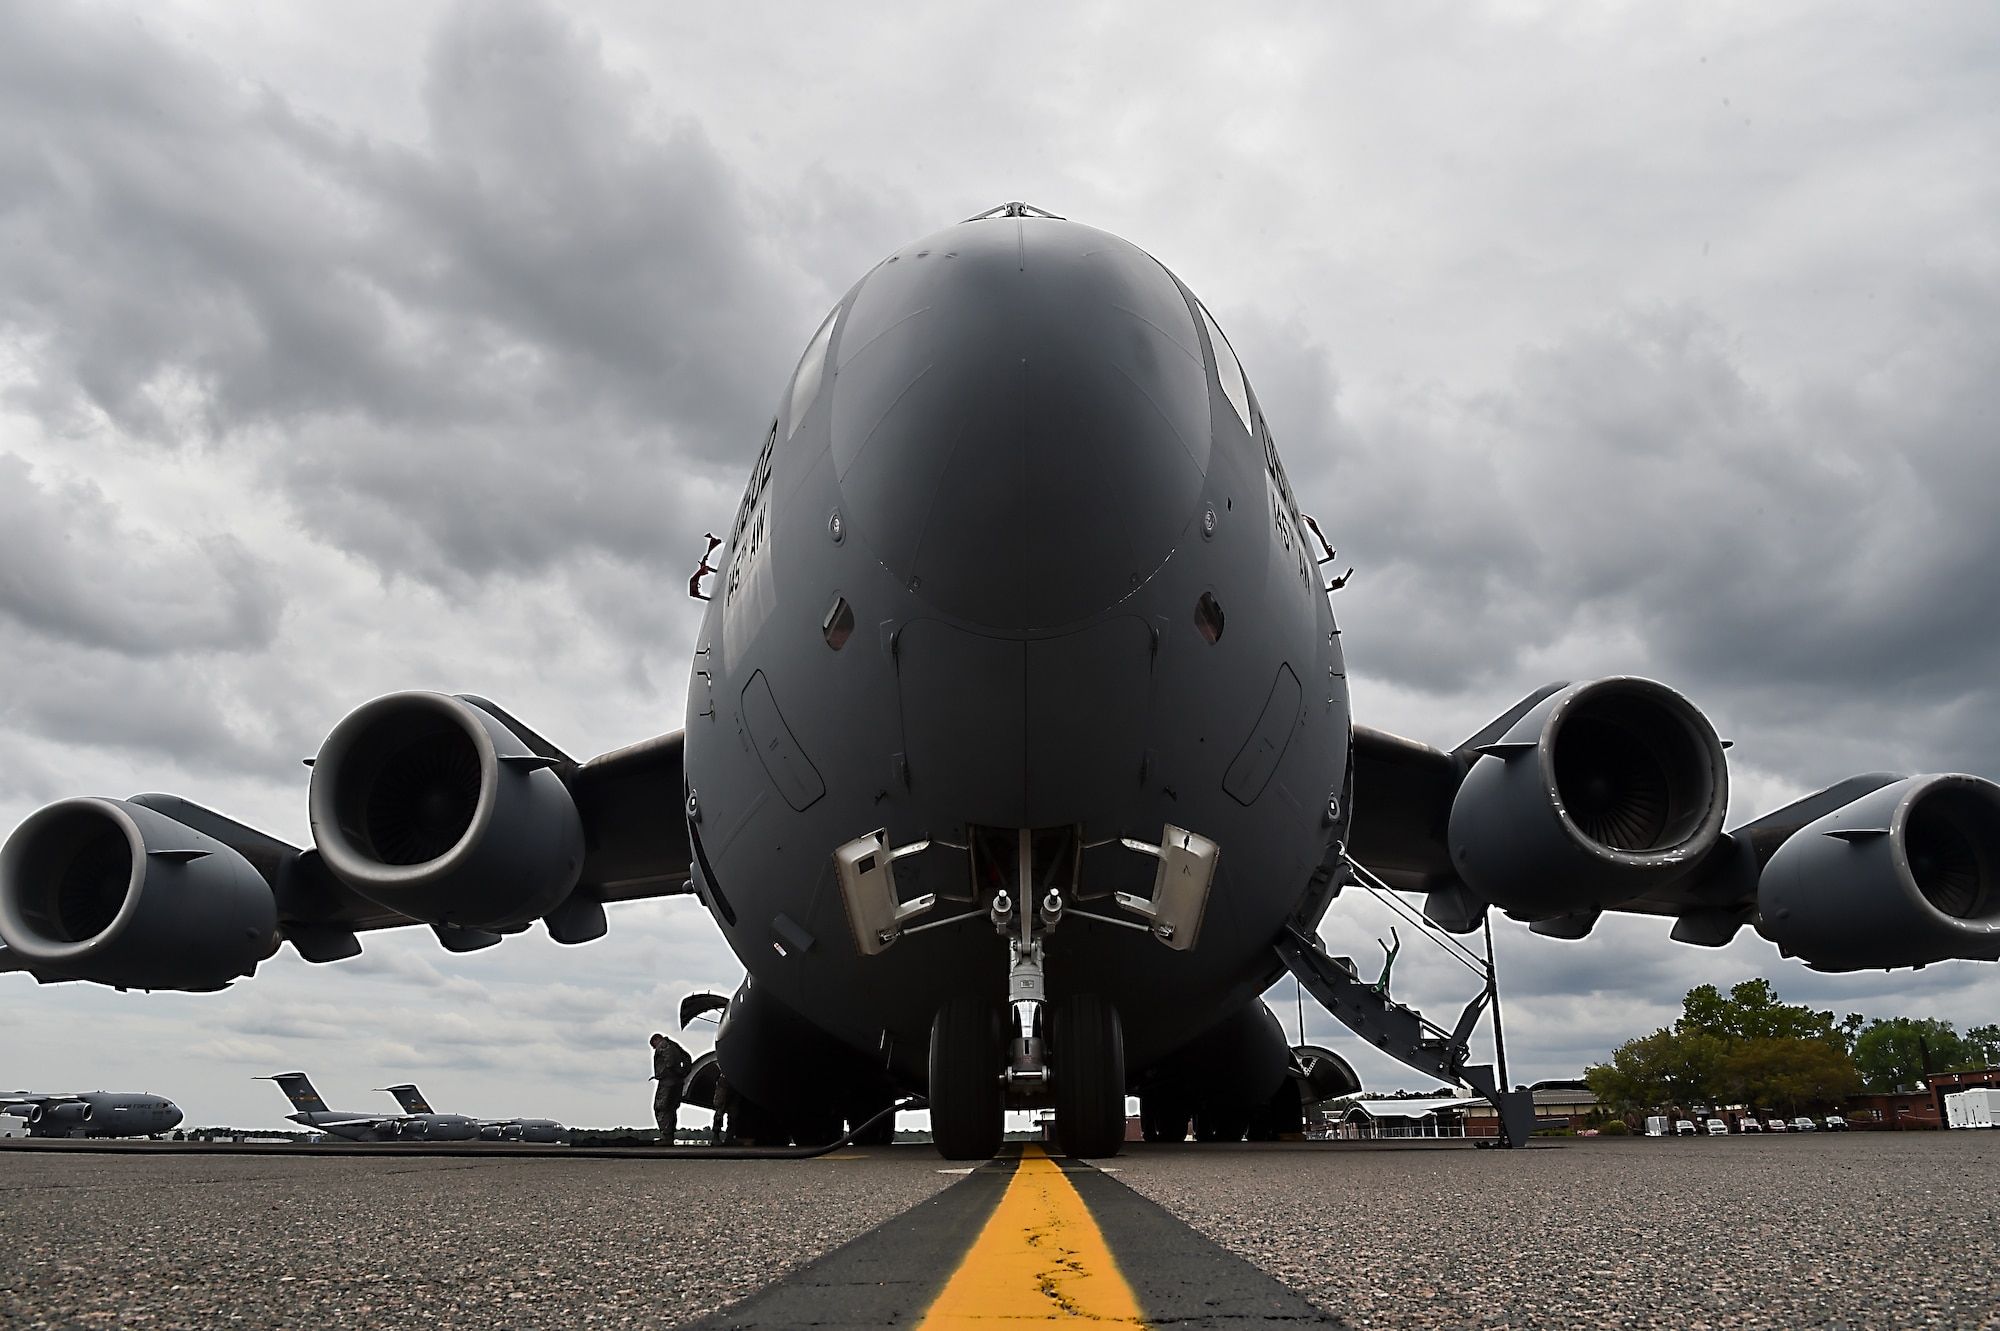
437 810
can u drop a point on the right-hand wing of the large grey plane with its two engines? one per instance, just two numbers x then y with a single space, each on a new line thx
1609 796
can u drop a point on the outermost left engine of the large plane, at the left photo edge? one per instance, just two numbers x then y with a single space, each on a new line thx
125 896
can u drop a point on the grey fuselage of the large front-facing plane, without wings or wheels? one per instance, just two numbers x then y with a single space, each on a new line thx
1017 555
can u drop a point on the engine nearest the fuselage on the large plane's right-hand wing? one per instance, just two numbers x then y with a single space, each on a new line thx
1601 792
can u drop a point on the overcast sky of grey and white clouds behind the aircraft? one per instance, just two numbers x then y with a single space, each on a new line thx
415 347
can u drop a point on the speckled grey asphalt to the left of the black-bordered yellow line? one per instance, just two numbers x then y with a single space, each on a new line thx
405 1242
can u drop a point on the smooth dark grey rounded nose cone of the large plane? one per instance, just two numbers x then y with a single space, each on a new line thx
1021 421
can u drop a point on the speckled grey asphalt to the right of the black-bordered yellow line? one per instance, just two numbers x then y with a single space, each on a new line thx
1691 1234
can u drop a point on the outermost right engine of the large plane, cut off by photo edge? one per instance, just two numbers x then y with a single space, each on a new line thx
1905 876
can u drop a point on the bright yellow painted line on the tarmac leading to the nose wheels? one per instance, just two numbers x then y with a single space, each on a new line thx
1041 1258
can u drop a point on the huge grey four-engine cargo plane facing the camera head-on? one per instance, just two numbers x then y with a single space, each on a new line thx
1017 758
